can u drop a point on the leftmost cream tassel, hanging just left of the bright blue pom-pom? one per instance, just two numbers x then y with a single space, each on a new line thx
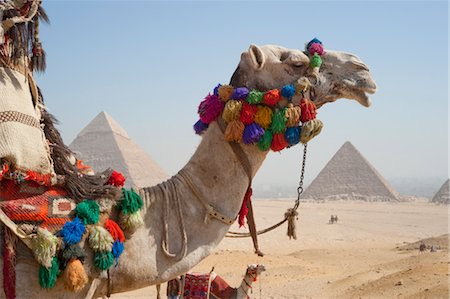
44 247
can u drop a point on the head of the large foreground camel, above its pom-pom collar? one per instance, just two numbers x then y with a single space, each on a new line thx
342 75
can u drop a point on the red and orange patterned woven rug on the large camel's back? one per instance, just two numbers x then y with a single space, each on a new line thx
30 203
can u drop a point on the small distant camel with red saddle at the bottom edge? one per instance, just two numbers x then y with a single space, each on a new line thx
220 289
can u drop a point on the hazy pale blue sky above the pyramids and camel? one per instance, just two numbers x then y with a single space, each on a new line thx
149 63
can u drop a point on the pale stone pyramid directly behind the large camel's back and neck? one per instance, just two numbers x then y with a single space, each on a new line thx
104 144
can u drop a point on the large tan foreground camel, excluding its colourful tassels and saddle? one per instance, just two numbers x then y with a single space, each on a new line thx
166 247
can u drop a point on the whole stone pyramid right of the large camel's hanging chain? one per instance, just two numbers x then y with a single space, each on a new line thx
348 175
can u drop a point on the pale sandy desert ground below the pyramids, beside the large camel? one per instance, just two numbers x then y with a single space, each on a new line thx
365 255
